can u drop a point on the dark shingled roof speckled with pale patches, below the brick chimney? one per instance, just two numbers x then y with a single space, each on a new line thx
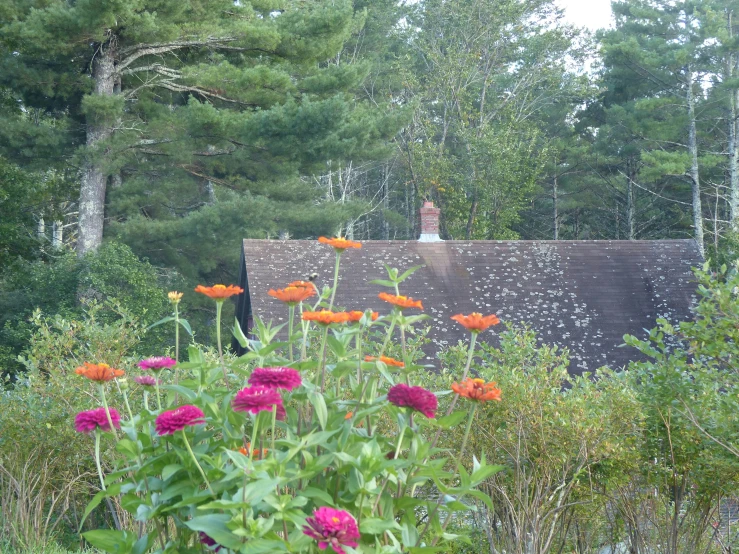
584 295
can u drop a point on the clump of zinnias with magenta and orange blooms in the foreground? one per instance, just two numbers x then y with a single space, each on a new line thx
294 459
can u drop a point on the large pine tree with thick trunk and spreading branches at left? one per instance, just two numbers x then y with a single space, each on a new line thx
181 114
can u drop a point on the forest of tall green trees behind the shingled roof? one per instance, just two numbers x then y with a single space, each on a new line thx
141 141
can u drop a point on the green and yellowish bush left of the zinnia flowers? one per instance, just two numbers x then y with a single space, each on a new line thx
46 472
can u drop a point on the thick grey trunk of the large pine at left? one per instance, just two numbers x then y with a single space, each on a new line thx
94 178
